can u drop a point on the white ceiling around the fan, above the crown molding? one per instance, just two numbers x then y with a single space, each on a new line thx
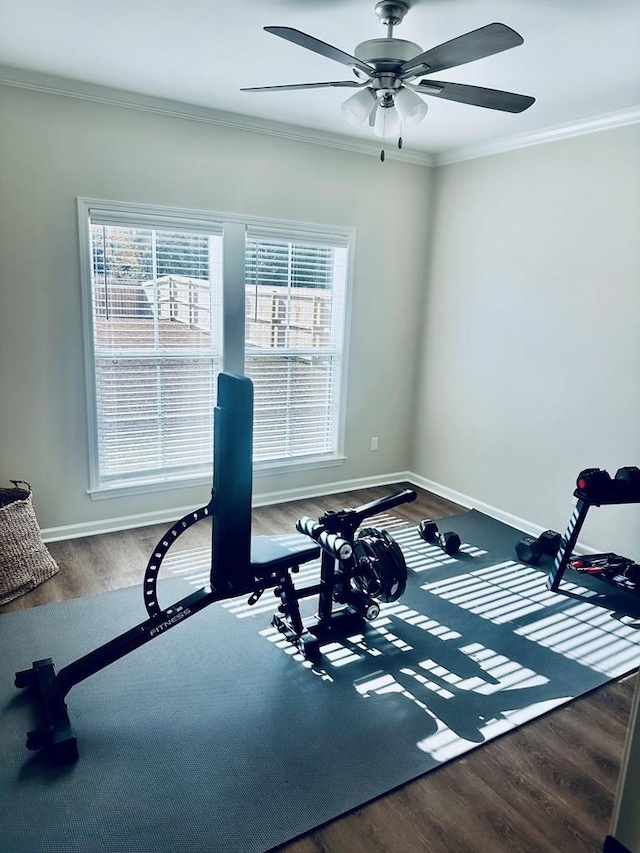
580 58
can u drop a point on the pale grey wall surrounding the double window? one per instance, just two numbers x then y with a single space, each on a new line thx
54 149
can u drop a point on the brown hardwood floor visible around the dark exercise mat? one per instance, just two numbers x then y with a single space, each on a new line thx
548 786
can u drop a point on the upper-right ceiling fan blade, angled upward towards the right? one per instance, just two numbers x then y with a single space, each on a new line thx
477 44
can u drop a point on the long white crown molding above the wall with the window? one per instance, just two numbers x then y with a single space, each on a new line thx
49 84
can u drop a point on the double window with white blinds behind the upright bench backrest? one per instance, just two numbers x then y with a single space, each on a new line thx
159 330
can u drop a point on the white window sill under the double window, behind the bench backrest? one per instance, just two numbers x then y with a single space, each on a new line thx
162 484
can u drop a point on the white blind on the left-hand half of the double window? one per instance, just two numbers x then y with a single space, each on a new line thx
157 348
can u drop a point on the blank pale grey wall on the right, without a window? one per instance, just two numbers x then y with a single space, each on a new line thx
529 362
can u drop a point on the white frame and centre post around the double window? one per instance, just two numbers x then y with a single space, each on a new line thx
234 228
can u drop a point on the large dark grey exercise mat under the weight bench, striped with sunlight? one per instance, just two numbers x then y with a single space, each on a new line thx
217 737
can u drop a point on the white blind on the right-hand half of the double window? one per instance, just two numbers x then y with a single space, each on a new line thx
294 329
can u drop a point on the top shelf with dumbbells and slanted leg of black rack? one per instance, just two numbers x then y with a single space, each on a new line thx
595 487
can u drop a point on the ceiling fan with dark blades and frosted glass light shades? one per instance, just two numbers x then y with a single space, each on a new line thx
388 70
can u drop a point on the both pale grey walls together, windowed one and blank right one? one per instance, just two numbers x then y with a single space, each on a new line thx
493 354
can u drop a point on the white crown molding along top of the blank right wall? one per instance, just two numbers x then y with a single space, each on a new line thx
608 121
